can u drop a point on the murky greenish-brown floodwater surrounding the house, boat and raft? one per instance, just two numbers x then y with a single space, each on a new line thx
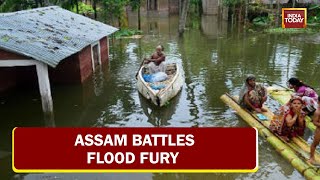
215 57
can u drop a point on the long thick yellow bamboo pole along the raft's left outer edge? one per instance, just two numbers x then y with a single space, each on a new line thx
286 151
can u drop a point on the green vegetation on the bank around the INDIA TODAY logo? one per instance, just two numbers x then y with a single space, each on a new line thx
260 16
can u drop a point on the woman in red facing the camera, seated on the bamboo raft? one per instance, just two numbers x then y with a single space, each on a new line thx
291 122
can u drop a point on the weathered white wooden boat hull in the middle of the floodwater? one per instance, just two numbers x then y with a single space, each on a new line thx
173 84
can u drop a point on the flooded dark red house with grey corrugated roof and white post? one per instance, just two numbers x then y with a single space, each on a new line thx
50 44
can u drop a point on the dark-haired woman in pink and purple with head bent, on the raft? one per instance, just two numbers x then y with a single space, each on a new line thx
307 93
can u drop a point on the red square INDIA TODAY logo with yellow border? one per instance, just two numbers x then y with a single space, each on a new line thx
294 17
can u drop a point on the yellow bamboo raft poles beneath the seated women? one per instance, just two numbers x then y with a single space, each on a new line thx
296 151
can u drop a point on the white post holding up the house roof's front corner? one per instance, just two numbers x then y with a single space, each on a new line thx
44 88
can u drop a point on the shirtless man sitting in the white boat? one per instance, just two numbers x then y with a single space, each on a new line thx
156 61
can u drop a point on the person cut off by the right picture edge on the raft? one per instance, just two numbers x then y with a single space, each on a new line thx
316 138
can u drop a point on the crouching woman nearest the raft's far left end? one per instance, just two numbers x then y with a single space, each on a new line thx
252 95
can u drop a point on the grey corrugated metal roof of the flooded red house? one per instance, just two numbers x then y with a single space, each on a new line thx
49 34
